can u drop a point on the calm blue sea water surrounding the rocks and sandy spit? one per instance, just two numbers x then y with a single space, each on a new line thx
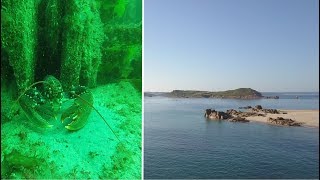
180 143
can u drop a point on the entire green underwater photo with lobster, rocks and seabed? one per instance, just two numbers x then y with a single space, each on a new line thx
71 89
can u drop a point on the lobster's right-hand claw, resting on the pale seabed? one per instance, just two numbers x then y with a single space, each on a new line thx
79 112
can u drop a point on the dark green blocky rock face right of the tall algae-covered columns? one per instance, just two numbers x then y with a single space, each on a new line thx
122 53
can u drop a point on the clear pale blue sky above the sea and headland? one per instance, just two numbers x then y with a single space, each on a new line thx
267 45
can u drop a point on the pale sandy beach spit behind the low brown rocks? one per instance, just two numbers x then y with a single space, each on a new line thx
309 118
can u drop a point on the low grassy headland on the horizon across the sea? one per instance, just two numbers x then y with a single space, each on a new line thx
240 93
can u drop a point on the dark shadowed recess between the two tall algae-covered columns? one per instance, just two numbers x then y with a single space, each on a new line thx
50 27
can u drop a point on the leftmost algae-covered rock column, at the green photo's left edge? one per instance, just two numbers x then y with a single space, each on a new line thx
18 25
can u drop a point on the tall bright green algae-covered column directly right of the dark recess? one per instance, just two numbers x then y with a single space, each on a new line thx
82 41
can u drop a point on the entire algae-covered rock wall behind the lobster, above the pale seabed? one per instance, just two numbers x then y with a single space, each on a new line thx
65 39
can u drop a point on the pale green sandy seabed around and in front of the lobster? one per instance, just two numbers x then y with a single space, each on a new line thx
93 152
